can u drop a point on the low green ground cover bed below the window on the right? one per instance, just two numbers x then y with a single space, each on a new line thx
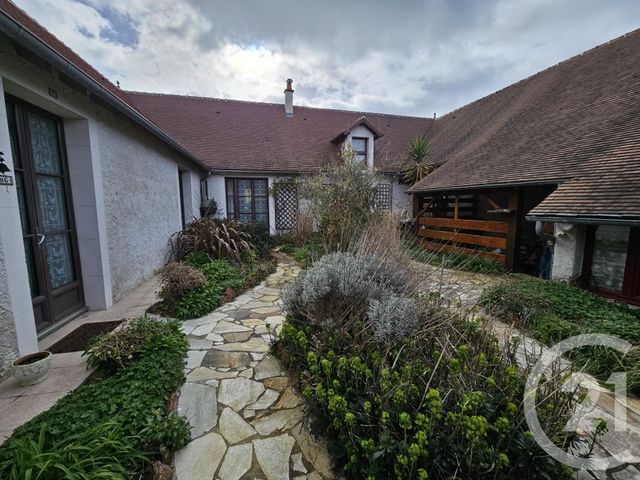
553 311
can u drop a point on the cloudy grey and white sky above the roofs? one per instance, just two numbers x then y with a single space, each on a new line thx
395 56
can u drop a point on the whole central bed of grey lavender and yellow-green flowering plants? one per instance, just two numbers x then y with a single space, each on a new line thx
401 385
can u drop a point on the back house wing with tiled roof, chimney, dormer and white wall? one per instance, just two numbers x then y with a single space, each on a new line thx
247 145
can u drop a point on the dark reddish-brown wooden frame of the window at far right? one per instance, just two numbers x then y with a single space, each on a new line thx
631 283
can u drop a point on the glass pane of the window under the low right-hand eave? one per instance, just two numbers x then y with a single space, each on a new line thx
609 257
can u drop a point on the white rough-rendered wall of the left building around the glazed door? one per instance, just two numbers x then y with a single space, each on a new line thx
123 183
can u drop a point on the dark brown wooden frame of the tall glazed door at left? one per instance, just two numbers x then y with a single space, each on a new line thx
47 293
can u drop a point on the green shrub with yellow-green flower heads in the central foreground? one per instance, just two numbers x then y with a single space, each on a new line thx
442 405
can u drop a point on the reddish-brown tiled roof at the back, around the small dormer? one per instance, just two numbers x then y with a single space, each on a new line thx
238 135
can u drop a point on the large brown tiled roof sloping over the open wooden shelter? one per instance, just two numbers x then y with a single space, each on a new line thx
578 121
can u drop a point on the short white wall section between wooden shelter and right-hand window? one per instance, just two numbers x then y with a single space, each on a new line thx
568 251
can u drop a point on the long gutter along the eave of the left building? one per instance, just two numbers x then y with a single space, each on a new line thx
22 36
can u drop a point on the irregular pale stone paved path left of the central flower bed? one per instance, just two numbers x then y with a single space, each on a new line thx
246 419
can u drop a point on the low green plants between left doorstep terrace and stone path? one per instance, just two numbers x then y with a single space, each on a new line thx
114 426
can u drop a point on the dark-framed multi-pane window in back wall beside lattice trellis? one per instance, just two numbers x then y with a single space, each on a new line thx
248 199
